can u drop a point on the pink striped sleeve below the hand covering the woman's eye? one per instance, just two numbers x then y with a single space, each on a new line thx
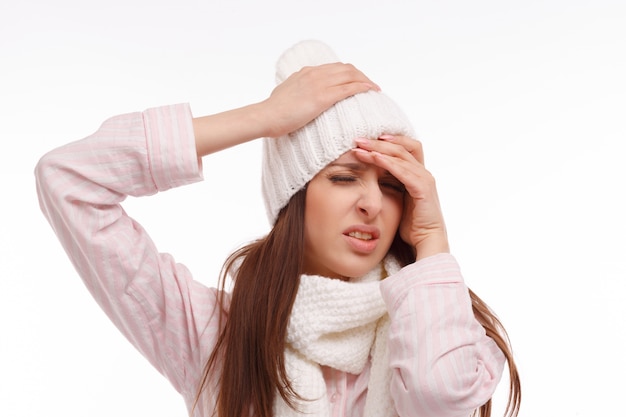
443 363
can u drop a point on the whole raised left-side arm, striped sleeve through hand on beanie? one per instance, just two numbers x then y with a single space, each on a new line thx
170 318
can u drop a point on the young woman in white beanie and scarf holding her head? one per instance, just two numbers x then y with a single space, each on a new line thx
350 306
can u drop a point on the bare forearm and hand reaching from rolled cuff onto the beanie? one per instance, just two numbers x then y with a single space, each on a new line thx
295 102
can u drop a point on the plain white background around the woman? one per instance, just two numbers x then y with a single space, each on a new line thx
521 109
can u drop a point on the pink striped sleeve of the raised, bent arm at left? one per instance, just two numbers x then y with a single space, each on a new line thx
151 299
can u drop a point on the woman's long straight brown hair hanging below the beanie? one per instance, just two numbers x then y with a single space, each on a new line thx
249 355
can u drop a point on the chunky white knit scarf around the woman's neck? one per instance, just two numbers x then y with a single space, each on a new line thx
341 325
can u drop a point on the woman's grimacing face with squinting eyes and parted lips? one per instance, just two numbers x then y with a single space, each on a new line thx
352 213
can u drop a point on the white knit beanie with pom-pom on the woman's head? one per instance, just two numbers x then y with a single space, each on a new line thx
291 161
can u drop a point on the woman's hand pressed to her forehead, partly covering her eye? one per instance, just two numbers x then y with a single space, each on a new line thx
422 225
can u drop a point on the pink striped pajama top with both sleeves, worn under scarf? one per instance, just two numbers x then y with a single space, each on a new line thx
443 363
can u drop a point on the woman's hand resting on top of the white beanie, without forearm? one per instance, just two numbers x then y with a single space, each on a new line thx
309 92
